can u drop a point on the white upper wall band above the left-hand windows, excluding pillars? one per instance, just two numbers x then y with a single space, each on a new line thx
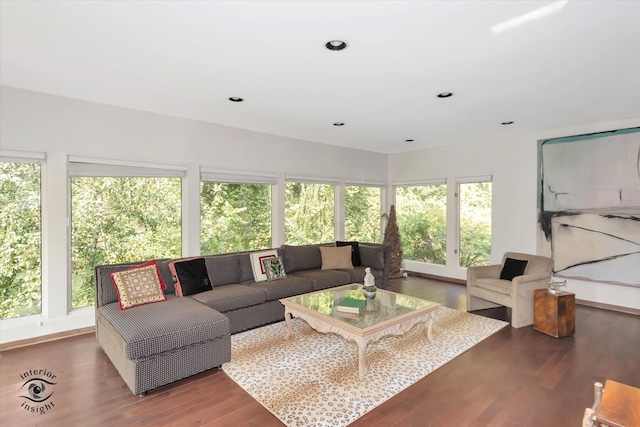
35 121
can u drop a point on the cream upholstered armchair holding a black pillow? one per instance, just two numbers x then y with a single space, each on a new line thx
485 289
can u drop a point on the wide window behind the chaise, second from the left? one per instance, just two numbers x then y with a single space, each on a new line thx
118 219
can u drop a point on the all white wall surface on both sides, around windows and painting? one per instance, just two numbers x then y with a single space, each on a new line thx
61 127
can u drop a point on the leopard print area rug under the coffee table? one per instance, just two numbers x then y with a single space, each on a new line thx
312 379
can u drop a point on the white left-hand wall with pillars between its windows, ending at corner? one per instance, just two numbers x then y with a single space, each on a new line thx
60 127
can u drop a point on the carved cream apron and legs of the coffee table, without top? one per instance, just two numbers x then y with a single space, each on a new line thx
398 328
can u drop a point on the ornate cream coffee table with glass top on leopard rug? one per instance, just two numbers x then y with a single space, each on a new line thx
389 313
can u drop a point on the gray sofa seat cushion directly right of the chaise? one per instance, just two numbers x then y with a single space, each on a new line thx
231 297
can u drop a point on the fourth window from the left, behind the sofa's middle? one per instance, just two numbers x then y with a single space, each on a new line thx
309 213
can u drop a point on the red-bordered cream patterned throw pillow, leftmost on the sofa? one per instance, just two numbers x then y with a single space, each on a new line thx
139 285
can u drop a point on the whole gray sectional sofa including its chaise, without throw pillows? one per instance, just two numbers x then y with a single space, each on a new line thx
155 344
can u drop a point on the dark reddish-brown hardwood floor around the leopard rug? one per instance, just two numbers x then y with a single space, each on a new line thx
516 377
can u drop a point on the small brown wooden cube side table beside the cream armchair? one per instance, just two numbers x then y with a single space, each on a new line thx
554 314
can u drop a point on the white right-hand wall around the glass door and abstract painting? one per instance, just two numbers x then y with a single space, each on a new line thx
513 164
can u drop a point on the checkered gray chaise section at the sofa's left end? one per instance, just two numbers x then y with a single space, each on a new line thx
155 344
